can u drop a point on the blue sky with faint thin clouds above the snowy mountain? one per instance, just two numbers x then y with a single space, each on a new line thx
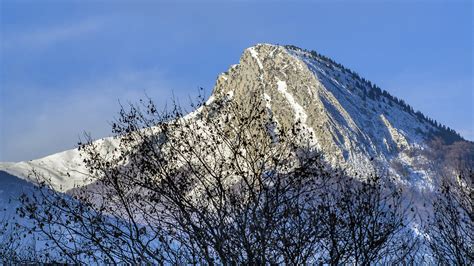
64 65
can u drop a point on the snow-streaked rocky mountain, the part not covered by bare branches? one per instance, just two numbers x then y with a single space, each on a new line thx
355 124
